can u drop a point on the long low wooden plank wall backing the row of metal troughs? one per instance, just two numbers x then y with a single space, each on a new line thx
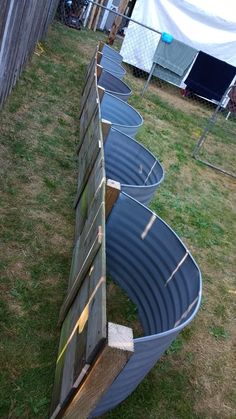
92 351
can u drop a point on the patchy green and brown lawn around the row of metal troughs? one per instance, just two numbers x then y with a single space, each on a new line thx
39 127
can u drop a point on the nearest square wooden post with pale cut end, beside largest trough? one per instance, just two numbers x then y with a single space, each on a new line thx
110 362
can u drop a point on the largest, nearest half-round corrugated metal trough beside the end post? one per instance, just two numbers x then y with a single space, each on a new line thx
148 260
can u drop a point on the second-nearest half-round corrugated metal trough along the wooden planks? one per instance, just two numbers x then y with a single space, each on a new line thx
131 164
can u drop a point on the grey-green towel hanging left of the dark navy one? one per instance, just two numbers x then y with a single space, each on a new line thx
172 60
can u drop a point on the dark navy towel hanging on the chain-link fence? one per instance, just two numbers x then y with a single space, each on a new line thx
209 76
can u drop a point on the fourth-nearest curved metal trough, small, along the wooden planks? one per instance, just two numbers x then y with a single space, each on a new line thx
114 85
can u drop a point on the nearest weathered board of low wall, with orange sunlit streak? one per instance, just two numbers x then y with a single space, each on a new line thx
72 364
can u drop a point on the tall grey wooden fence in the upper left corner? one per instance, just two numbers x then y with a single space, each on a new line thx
22 24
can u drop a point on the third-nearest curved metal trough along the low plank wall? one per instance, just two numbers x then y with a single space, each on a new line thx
122 116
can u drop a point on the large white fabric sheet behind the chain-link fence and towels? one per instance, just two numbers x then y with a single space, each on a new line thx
207 25
